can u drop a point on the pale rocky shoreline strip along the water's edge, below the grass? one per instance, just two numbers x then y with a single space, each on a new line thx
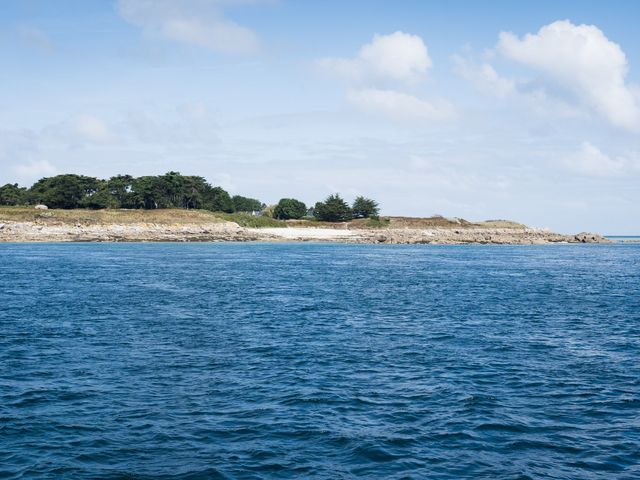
22 231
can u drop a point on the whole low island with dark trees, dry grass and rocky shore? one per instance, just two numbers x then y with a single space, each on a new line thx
177 208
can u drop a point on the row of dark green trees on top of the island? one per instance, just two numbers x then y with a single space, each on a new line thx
172 190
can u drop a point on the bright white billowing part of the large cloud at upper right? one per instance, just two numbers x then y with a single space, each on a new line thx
582 60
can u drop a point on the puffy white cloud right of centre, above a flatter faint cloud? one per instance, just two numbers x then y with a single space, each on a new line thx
398 56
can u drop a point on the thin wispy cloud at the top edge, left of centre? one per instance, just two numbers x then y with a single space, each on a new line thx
195 22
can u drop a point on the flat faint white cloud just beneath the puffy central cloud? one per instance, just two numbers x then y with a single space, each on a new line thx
400 106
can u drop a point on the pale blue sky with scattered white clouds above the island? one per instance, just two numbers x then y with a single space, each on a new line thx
524 110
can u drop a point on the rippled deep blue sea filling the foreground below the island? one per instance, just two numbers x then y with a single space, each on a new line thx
259 361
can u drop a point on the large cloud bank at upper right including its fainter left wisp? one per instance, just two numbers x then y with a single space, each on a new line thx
576 71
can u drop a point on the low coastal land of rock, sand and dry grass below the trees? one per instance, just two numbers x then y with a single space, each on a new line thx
28 225
